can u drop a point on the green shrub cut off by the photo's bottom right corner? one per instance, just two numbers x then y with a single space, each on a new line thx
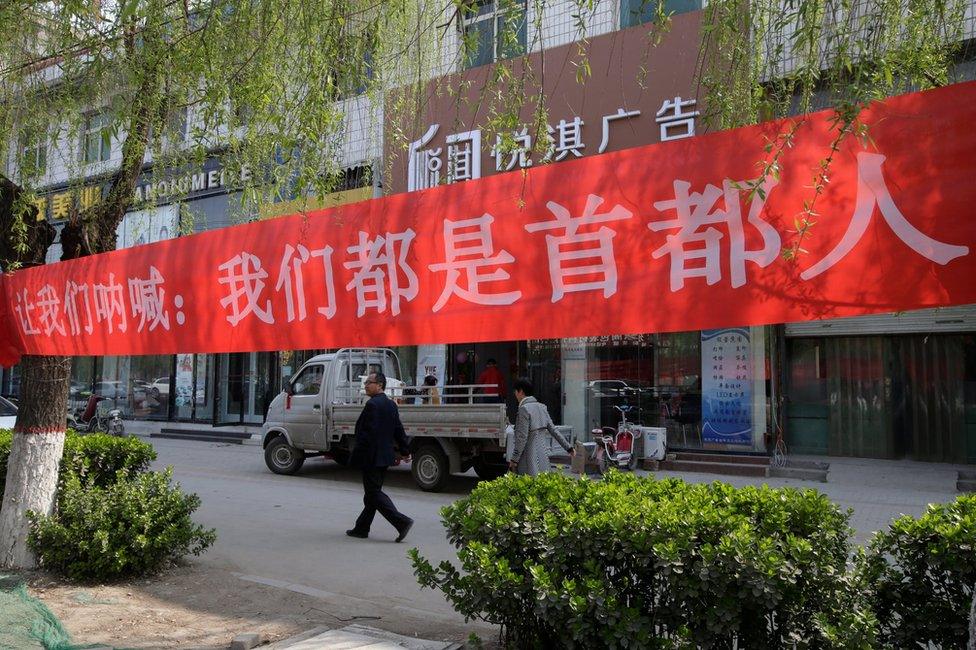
920 575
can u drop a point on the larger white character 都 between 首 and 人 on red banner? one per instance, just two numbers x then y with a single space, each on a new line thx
696 210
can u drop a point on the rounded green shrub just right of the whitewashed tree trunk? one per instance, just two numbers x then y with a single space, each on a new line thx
129 528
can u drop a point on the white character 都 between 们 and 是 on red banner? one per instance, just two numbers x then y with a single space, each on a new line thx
378 262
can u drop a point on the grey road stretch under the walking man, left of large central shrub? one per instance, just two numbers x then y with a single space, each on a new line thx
289 531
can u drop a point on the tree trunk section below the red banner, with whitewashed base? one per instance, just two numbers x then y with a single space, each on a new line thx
35 454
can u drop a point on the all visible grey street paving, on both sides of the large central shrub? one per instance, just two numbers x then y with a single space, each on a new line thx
289 531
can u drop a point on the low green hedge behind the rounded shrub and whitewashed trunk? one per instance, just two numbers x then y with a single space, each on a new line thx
97 456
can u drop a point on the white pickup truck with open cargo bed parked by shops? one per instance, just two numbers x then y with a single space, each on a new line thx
315 415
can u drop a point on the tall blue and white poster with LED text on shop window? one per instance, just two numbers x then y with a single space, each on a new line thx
726 387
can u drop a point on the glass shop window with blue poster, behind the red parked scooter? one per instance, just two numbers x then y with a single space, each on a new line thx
704 401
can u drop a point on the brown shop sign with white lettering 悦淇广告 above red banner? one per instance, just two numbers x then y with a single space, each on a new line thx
636 96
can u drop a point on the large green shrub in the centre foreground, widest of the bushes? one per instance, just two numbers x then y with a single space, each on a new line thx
636 562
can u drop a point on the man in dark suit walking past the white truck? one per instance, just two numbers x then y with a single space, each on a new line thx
379 434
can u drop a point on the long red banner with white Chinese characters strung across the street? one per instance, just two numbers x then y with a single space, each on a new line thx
651 239
